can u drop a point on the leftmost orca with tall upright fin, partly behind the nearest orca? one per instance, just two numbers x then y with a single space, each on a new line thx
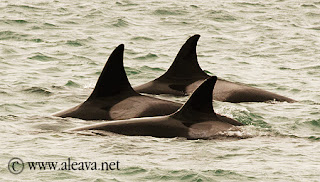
114 98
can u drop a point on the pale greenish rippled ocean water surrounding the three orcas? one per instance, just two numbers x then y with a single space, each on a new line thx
52 52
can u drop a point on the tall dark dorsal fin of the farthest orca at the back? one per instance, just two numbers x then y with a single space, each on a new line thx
186 64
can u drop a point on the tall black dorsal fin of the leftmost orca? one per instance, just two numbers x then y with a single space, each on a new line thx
113 78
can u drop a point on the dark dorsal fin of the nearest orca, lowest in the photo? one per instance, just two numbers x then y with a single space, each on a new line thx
199 106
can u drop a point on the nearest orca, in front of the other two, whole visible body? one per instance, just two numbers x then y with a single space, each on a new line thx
196 119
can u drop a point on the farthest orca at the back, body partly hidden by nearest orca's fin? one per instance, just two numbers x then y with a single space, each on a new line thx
185 75
